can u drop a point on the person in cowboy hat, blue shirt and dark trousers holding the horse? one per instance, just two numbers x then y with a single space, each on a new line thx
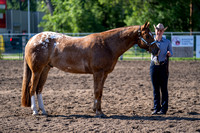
159 71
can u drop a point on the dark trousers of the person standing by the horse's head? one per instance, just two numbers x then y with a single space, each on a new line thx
159 79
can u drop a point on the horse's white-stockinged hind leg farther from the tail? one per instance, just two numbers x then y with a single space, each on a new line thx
40 85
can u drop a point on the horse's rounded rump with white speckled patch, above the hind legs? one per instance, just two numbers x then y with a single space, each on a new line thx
40 47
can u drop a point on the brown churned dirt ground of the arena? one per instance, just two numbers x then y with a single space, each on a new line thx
127 101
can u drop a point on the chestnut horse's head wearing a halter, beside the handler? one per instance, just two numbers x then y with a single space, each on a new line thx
146 39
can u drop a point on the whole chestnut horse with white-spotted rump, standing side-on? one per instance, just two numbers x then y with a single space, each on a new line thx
95 54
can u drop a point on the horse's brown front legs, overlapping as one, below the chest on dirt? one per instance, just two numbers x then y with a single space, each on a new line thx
99 79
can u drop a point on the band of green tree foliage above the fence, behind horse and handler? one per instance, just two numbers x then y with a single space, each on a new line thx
100 15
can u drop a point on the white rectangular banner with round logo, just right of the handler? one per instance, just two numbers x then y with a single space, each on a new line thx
182 41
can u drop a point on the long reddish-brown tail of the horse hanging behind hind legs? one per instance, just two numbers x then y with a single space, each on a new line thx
26 98
